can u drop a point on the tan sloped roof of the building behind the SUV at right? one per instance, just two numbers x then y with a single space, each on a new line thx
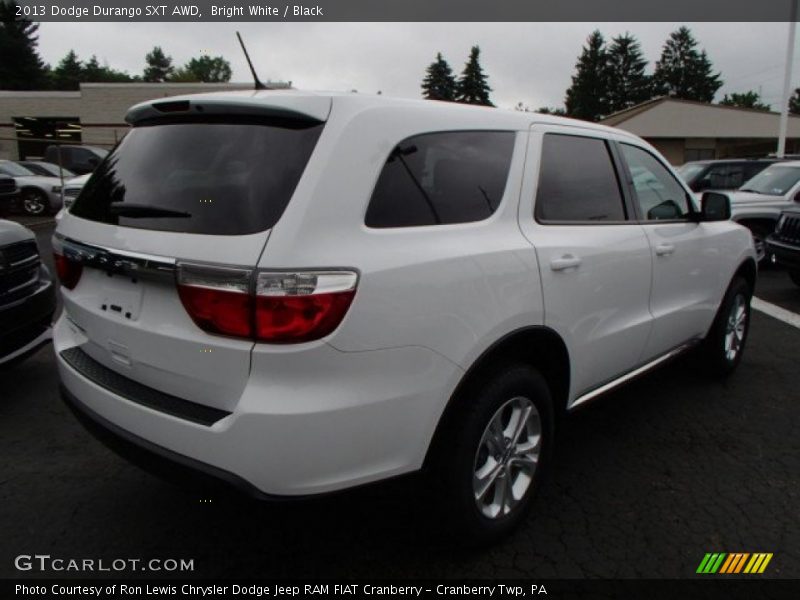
675 118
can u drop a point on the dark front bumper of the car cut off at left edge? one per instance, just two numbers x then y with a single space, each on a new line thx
25 325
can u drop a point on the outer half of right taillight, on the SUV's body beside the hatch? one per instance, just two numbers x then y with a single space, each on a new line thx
304 306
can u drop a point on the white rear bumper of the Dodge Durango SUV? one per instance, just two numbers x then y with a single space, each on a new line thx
309 422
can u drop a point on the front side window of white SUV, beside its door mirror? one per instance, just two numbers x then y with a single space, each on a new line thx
658 193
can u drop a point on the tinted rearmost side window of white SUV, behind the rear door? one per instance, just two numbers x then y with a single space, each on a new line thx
442 178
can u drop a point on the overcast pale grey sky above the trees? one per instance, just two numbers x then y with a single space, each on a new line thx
526 62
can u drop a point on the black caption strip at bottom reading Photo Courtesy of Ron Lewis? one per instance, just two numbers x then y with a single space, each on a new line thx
648 589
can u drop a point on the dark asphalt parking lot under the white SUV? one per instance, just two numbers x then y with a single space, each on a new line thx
646 481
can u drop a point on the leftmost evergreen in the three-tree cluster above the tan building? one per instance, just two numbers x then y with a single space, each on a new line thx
587 97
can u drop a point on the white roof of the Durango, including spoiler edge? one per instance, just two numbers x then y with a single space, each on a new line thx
318 105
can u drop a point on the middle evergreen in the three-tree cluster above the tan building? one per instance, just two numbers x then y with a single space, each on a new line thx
628 85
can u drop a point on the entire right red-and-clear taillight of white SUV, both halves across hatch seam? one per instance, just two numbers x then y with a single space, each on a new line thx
279 308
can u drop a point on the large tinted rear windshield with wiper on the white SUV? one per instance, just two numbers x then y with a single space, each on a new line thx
218 178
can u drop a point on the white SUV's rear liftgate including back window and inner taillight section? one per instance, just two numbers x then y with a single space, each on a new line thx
188 197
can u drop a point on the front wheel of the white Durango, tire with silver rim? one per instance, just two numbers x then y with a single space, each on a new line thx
725 343
